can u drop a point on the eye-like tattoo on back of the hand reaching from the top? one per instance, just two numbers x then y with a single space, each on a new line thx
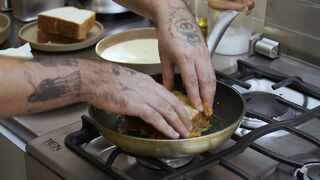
183 27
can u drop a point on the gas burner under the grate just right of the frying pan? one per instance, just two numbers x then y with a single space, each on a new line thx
266 104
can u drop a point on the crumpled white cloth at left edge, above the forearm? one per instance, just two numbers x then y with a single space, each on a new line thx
22 52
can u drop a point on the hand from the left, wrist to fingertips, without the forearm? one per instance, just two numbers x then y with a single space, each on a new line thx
121 90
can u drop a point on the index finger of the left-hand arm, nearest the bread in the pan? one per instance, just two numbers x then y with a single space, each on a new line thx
176 105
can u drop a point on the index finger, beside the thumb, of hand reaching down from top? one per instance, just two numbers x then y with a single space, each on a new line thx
190 80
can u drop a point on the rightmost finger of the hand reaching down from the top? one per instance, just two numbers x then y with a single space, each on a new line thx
207 82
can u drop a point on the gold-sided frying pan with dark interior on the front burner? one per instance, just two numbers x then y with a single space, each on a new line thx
228 111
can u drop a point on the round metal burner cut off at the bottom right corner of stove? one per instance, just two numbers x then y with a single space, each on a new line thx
310 171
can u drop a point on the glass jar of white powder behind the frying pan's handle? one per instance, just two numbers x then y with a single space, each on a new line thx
235 40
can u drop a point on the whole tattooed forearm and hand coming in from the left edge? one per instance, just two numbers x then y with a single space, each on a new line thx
39 85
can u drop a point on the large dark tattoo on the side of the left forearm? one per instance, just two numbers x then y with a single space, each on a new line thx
49 89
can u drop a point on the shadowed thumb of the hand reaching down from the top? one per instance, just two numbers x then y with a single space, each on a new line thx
167 74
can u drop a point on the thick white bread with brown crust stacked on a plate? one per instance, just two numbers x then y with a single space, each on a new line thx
67 21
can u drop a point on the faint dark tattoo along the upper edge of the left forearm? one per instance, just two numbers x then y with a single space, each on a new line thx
52 62
